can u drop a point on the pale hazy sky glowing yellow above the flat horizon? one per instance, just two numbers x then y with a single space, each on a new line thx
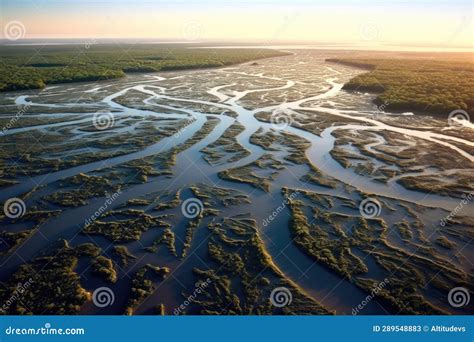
435 23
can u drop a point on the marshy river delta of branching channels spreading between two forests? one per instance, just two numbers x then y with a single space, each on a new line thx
279 163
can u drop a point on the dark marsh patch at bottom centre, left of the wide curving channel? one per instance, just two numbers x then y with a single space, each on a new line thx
242 276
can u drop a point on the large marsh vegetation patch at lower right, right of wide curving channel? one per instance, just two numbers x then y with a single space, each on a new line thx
332 238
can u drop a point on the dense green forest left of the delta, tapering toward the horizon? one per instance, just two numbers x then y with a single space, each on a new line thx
23 67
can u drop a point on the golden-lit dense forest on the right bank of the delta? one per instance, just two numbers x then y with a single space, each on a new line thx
424 85
